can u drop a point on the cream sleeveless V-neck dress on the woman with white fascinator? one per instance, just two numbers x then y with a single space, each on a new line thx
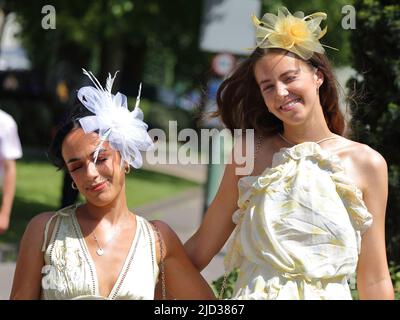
69 271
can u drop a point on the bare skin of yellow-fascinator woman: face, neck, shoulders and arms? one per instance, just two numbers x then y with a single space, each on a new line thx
281 78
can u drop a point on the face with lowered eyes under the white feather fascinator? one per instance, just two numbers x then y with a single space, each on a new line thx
101 182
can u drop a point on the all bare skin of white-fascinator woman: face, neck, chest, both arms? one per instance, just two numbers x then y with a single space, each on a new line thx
106 215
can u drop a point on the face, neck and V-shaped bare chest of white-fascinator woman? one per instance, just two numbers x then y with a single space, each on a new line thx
105 212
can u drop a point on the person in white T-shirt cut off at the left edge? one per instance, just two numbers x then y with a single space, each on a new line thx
10 150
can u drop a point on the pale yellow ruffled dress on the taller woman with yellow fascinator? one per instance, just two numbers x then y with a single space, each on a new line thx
299 227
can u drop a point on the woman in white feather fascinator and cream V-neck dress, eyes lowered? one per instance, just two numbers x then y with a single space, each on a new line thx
100 249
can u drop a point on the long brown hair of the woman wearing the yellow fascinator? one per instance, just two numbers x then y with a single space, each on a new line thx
241 105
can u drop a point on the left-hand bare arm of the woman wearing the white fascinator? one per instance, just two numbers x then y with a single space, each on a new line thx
27 277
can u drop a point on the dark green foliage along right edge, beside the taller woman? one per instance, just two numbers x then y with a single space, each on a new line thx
376 120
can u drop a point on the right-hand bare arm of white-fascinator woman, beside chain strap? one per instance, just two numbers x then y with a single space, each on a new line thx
182 279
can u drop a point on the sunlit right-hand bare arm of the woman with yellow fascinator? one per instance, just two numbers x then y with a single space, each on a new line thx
373 277
